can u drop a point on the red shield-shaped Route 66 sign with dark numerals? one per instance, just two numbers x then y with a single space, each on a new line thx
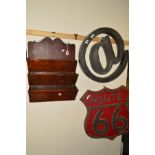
107 112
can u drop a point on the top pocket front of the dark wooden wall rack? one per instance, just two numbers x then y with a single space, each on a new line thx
51 65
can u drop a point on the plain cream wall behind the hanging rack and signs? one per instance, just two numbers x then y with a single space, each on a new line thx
56 128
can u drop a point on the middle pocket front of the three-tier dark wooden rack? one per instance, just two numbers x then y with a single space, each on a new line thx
48 78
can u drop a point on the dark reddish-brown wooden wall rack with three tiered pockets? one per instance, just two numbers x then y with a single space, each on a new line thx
51 66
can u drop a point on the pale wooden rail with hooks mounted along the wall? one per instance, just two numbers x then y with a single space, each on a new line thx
64 35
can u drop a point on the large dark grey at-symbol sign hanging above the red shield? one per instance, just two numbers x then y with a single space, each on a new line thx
111 59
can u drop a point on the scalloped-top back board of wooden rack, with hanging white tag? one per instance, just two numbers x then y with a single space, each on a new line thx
50 49
